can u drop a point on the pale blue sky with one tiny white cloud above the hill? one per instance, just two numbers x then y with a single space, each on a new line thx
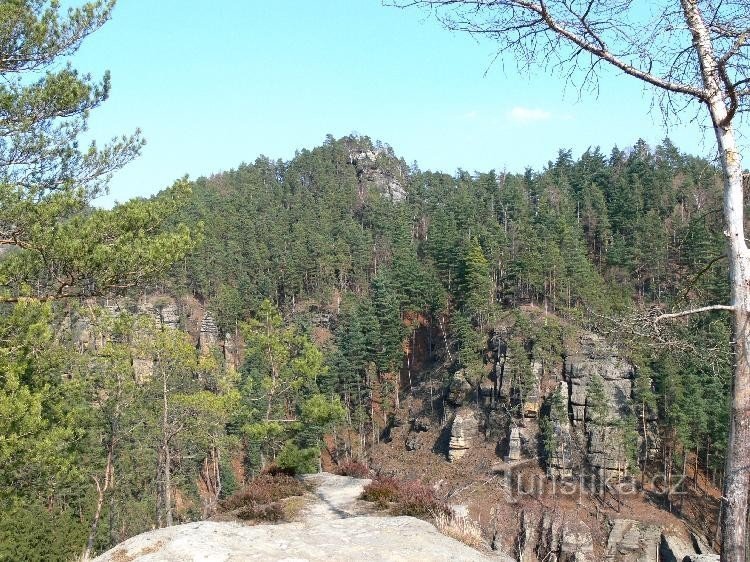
216 84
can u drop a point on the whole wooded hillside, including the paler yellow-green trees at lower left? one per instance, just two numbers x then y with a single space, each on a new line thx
332 286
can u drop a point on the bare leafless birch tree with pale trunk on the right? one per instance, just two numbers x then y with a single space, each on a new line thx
688 51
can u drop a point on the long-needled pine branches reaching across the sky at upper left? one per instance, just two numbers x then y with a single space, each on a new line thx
59 245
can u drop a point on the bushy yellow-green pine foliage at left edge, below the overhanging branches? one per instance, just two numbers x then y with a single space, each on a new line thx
39 412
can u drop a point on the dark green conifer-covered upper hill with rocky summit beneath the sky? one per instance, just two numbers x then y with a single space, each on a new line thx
348 237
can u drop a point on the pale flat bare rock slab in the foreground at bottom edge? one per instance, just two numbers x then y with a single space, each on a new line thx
377 539
